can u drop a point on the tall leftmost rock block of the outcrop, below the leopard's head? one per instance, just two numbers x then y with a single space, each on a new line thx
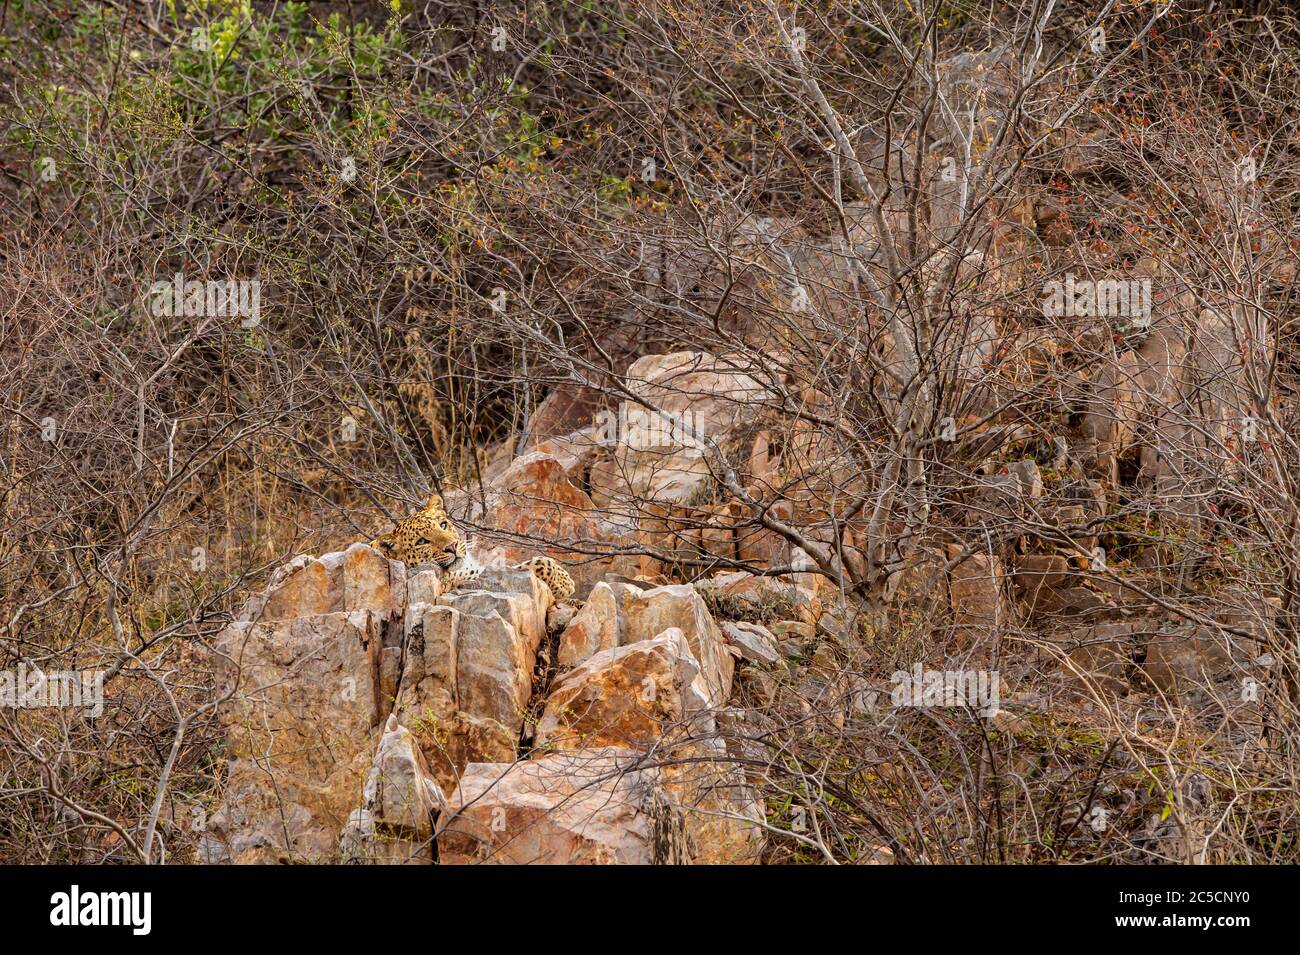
307 672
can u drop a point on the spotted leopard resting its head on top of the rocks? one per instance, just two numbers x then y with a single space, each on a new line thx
430 536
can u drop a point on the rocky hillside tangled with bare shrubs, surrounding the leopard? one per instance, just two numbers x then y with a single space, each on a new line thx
831 348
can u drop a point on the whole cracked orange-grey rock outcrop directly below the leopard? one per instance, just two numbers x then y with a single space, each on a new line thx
375 718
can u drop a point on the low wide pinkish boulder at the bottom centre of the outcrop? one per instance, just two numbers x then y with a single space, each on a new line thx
593 808
